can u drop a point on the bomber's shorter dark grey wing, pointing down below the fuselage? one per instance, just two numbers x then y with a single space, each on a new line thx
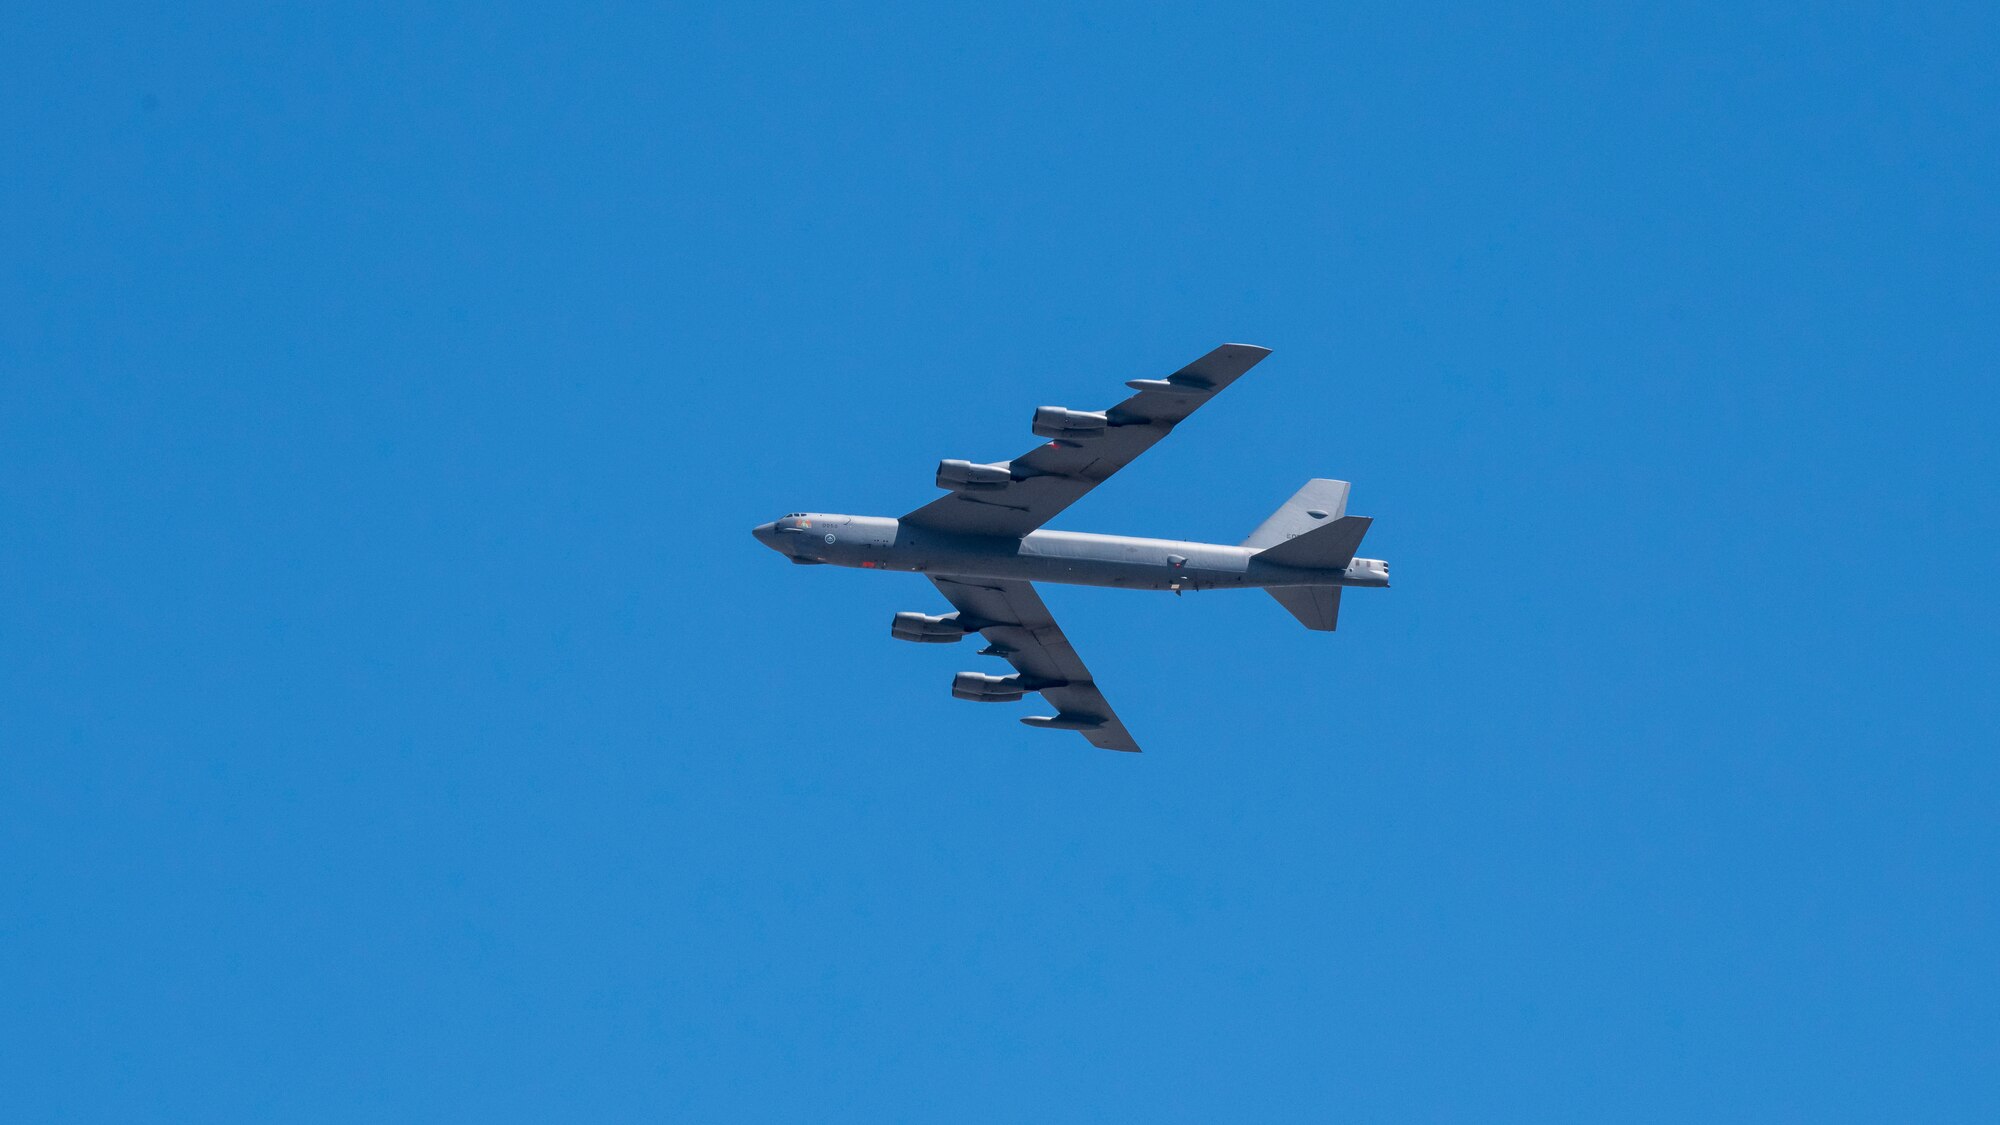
1019 628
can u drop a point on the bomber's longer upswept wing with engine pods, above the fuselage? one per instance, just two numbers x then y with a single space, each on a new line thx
1085 447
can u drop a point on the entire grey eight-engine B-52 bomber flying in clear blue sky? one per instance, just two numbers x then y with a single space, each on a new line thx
983 547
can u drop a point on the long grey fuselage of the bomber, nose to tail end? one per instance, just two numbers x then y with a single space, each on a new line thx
1081 559
